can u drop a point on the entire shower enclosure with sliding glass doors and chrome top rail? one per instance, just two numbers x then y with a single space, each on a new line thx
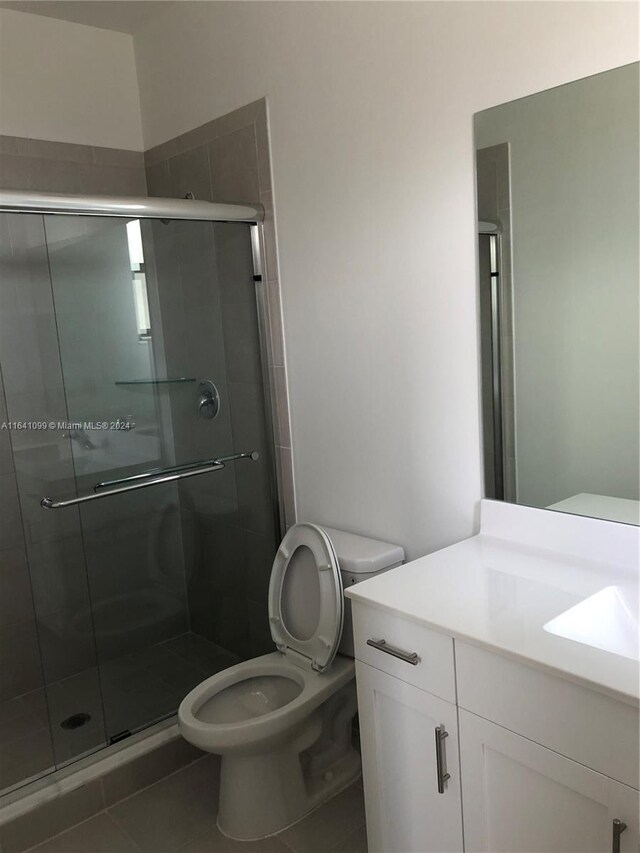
138 516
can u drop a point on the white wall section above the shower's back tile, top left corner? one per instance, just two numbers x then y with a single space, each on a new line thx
67 82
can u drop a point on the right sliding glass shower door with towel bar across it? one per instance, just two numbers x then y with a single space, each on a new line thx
160 355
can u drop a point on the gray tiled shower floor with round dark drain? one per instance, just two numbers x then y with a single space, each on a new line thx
127 693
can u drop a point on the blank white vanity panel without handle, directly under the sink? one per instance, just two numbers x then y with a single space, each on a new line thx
596 730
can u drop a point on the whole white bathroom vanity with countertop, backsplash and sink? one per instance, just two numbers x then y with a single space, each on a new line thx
498 690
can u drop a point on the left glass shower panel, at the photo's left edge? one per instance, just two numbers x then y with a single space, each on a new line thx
51 702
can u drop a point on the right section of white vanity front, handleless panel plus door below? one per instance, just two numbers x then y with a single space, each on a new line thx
546 764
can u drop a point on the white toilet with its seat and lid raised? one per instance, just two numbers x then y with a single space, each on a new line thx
282 722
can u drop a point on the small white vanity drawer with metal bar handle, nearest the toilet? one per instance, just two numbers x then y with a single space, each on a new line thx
396 638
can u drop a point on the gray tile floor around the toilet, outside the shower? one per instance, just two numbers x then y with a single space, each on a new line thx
178 815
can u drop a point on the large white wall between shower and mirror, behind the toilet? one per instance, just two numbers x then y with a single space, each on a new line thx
371 122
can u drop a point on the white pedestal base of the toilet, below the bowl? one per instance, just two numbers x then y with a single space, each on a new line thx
260 795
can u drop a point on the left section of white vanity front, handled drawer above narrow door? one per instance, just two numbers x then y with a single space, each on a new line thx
409 735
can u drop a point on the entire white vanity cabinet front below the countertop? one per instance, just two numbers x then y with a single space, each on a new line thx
541 764
